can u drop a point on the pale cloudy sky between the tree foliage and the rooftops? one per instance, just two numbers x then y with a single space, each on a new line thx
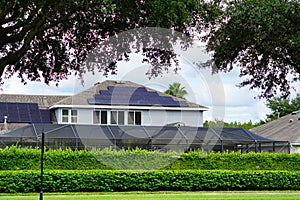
218 92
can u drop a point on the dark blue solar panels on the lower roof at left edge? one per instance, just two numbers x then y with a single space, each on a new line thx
23 113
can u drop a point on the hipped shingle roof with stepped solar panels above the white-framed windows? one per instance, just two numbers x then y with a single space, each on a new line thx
124 93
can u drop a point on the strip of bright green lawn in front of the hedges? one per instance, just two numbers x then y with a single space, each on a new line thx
160 196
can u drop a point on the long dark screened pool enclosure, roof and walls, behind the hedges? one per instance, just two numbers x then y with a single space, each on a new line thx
163 138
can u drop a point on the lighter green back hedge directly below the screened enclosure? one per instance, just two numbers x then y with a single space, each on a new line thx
15 158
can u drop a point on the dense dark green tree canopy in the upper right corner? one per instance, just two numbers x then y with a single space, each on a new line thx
262 38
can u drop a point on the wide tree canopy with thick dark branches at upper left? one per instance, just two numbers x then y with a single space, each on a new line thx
49 39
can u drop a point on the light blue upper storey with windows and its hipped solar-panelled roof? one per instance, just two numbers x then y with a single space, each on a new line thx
126 103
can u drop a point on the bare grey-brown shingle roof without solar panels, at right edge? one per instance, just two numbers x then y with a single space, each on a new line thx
284 128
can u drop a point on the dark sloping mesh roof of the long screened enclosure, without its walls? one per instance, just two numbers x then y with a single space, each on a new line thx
236 135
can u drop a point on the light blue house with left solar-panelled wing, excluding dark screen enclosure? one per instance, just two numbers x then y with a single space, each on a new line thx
109 103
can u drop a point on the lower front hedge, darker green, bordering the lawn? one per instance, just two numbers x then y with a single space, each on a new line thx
162 180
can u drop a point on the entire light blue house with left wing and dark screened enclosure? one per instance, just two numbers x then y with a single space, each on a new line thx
119 114
